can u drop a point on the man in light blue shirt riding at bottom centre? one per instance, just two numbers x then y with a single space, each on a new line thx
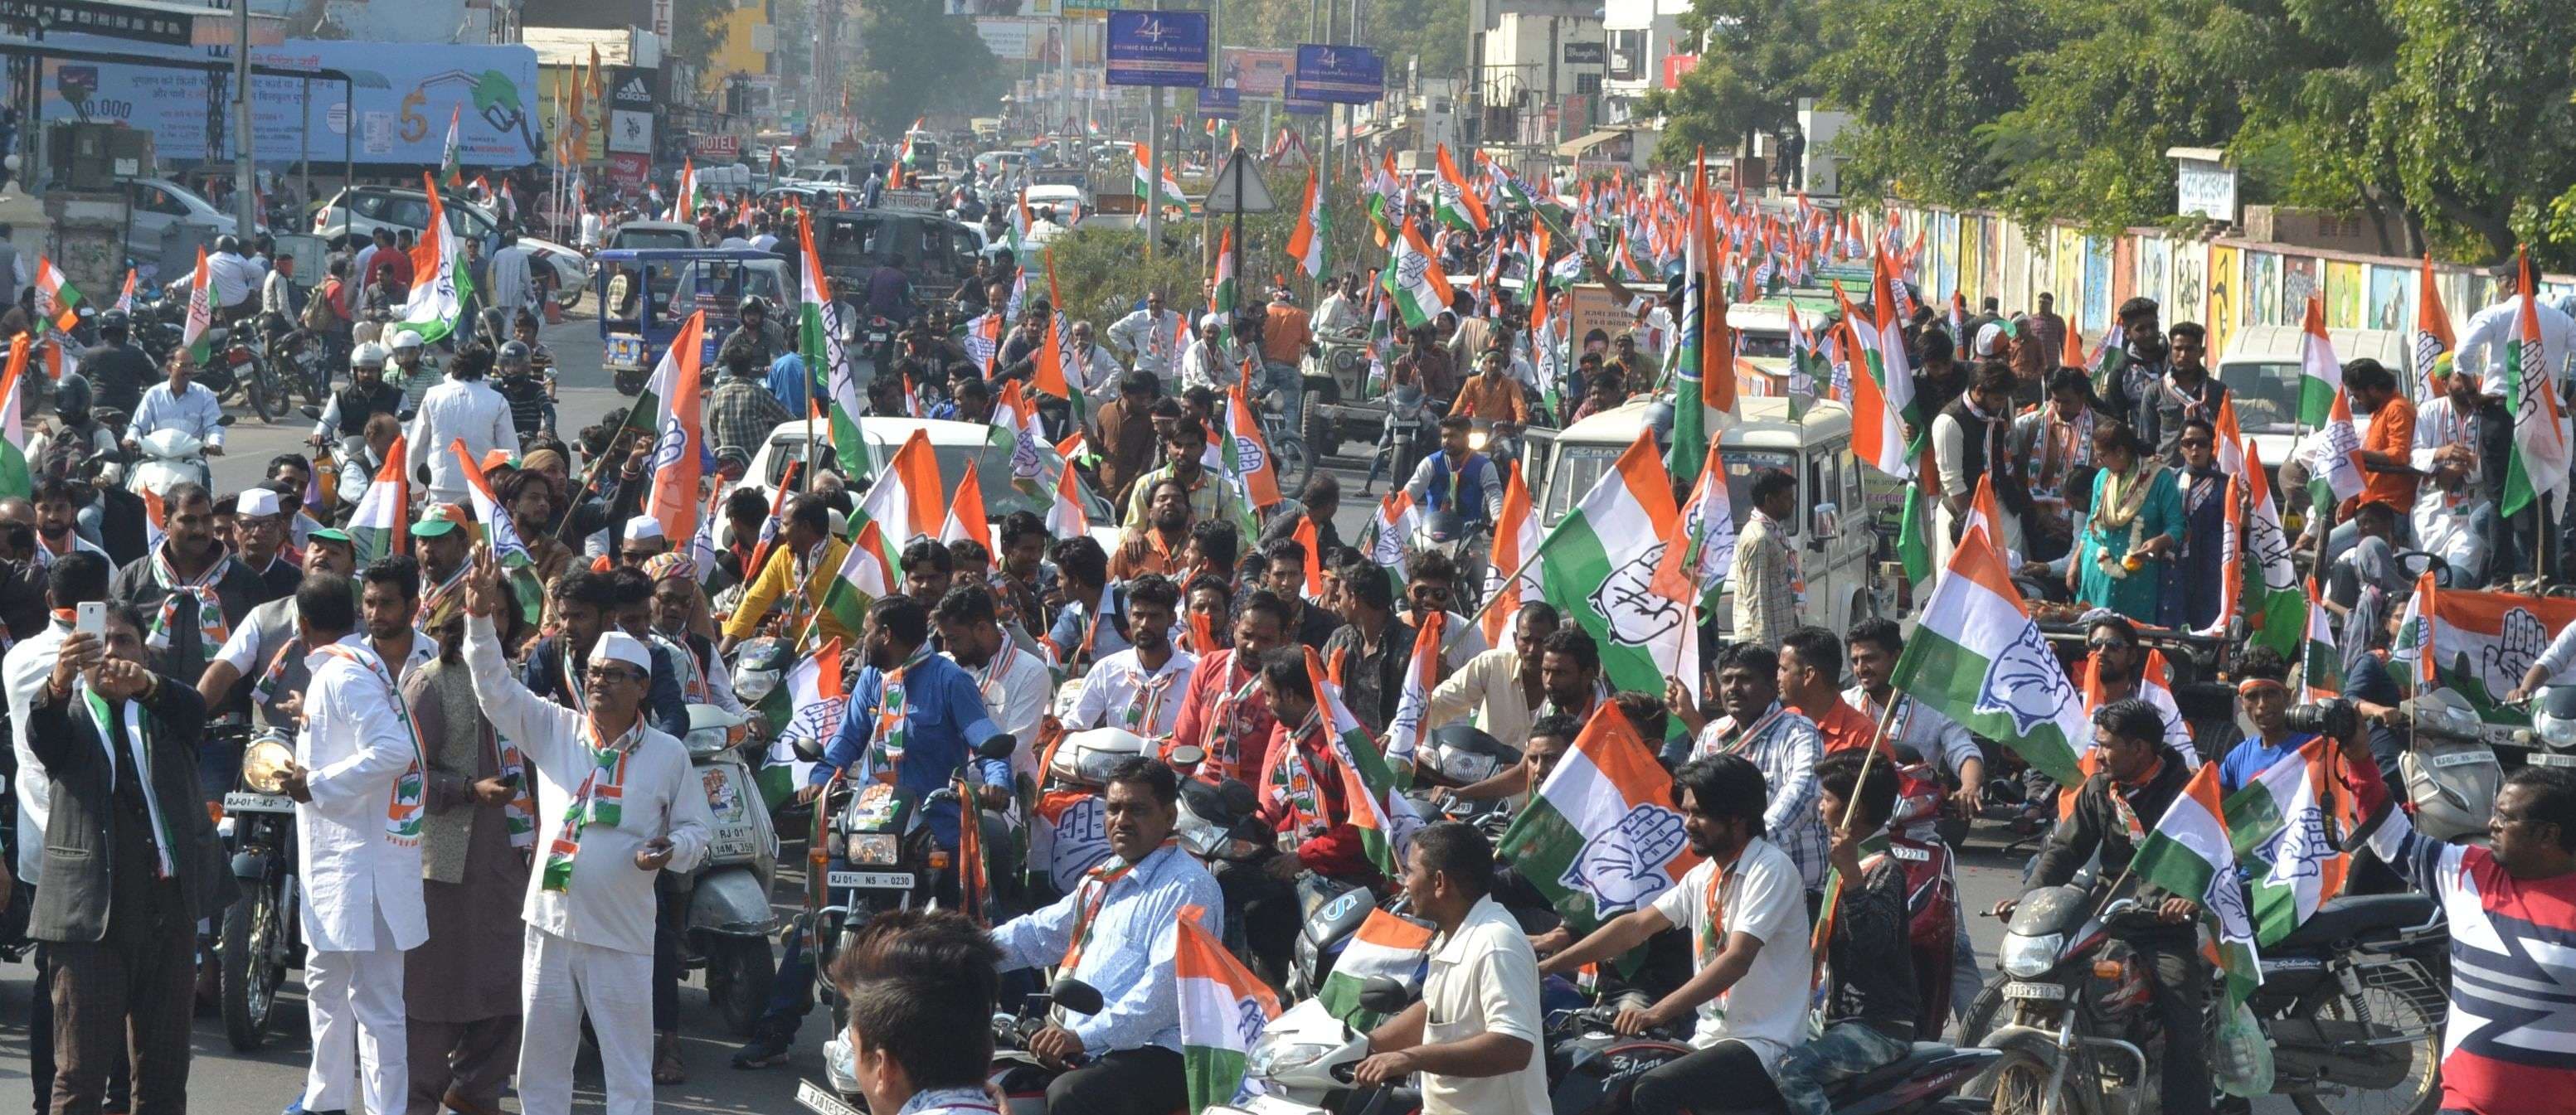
1119 931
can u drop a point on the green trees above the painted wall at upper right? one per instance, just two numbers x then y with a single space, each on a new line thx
2448 120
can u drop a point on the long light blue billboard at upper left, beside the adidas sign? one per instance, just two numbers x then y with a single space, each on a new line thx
406 94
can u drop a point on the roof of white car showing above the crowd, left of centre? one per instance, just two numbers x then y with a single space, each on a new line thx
952 444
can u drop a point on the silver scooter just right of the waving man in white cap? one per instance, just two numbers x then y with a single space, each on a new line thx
728 915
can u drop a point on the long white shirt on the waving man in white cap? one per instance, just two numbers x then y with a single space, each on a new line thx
609 903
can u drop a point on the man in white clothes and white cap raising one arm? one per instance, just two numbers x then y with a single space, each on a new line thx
591 905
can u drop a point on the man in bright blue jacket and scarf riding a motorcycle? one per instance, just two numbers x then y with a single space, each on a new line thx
916 720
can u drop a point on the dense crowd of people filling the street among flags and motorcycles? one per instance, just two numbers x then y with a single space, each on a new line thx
491 784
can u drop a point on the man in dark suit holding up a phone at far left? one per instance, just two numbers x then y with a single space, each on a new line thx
130 867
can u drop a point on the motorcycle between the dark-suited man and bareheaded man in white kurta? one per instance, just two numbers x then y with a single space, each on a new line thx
264 931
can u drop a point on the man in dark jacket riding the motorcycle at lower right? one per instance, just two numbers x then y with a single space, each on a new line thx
2114 812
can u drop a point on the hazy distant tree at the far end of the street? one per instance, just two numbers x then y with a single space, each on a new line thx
913 63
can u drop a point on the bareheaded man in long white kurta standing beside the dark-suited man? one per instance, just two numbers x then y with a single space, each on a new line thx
359 872
